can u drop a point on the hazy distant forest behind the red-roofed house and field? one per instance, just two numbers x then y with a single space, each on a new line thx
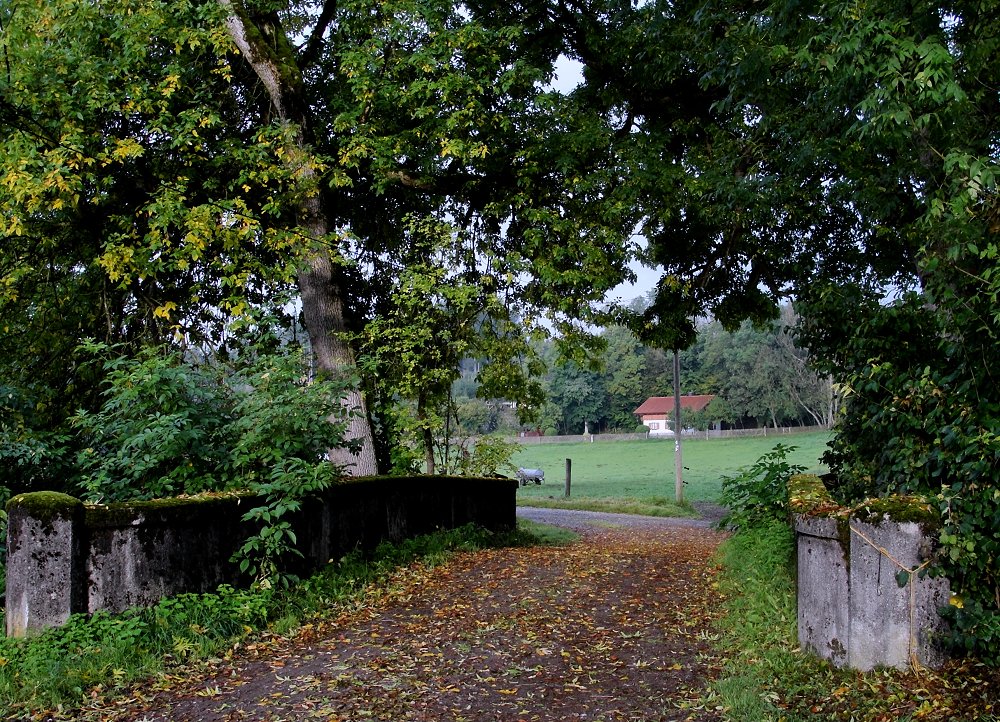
760 377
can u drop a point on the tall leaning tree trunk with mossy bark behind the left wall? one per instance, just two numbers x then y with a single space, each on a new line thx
266 49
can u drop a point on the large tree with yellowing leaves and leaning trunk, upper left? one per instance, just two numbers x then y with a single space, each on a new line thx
172 166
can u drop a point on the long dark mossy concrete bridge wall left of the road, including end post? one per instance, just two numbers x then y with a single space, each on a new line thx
66 557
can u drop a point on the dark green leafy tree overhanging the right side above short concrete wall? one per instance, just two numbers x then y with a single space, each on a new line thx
832 150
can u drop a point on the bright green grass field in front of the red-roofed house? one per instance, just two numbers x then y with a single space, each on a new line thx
613 473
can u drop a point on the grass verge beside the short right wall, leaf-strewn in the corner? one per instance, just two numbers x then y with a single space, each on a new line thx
766 678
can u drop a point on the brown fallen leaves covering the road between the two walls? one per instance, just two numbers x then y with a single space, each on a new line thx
613 628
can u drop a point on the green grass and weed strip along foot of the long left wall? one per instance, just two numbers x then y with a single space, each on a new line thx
55 674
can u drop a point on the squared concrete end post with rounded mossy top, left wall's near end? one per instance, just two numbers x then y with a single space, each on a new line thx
45 580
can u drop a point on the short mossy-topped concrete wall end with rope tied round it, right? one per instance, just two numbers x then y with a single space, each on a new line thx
863 602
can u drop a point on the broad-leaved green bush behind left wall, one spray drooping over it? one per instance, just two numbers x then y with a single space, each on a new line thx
169 427
